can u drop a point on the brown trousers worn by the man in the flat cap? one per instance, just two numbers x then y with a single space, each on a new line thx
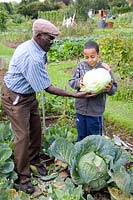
24 115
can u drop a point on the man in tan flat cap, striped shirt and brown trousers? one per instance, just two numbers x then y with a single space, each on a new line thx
27 75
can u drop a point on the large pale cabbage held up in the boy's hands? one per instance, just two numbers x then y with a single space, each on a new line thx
96 80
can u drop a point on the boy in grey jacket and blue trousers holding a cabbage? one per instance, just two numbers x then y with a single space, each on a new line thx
89 111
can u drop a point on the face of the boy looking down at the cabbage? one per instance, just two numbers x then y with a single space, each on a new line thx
91 56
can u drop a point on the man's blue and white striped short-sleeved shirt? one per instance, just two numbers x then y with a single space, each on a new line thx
27 73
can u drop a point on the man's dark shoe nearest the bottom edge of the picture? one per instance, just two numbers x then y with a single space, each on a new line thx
26 186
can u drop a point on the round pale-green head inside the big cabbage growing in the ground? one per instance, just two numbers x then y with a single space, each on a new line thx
93 170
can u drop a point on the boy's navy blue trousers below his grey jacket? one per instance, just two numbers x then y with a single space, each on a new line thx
88 125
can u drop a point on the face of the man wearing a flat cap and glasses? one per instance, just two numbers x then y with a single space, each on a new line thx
45 41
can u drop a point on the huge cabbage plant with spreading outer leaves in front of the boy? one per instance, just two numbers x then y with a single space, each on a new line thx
95 162
